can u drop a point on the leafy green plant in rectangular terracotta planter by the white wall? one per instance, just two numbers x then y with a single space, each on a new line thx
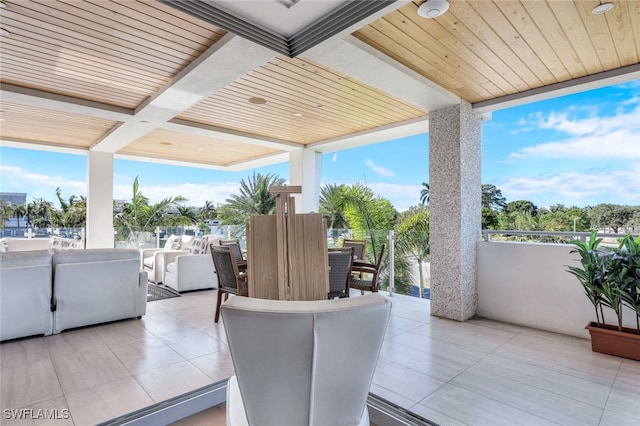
611 279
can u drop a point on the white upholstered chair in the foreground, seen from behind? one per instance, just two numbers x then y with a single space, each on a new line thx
303 362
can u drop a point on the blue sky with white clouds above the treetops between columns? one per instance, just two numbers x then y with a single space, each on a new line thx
582 149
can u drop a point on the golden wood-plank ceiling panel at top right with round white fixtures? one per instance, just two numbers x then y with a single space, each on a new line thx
482 50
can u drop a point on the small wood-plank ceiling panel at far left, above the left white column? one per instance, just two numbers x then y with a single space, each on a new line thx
41 126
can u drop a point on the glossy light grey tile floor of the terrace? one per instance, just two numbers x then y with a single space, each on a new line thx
476 373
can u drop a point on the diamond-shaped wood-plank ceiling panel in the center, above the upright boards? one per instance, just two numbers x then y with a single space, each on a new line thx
304 102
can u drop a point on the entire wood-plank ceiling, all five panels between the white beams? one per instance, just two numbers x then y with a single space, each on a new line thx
120 54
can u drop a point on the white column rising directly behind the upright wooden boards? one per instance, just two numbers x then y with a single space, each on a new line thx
305 169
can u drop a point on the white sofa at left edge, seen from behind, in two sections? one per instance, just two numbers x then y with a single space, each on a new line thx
44 293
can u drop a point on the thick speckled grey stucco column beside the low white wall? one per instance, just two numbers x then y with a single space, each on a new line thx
455 139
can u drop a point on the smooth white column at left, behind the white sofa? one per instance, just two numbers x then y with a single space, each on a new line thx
100 200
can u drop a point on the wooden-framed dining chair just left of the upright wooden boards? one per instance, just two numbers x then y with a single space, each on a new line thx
230 279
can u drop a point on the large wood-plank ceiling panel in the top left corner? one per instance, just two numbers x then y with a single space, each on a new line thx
115 52
